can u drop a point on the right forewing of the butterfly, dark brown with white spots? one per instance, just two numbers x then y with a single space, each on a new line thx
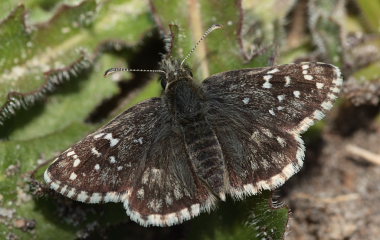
291 95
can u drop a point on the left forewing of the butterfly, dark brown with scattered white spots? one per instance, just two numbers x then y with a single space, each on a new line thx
97 164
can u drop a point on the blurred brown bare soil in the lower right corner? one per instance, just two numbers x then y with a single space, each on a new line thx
337 193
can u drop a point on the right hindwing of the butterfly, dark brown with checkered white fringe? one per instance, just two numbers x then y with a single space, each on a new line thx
257 157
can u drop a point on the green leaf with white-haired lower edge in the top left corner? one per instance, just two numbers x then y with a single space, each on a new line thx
38 58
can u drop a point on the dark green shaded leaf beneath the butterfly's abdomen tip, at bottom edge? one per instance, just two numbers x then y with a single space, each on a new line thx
254 218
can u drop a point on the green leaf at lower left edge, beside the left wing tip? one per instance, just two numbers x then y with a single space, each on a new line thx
26 154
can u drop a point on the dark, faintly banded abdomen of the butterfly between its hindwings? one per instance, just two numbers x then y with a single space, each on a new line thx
205 154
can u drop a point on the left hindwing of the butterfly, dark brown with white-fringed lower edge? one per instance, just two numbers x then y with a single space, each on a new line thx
167 192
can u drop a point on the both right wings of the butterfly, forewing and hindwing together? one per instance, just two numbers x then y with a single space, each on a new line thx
258 115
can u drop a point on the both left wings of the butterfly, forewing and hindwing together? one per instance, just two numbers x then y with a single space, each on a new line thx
137 160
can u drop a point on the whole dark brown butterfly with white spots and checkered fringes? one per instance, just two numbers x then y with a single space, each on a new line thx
169 158
